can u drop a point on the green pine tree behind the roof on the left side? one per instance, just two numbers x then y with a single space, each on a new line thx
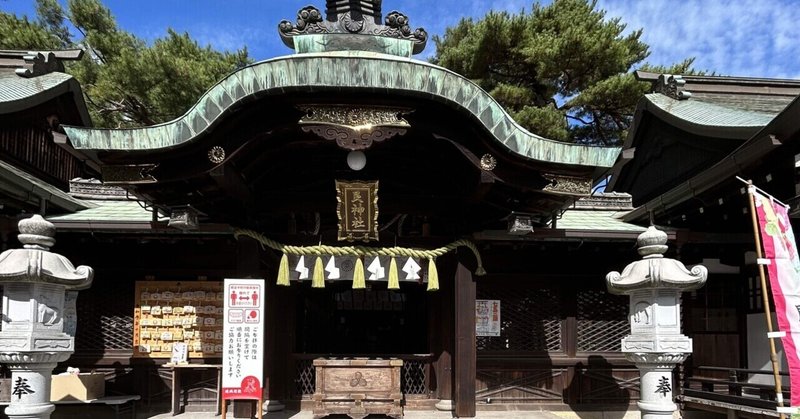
127 82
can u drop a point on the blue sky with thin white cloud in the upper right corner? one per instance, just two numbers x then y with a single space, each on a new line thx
754 39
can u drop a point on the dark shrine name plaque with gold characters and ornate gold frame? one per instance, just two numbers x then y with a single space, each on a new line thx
357 210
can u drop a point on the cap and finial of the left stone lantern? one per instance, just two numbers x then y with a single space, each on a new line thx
34 263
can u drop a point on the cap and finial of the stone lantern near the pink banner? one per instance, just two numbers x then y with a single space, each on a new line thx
654 270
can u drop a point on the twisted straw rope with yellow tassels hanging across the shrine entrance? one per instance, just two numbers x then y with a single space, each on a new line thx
318 278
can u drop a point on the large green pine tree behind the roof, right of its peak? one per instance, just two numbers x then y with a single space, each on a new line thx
563 71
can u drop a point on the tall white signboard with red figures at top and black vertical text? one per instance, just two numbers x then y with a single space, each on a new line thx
243 339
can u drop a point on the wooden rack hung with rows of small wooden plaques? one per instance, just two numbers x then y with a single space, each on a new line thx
169 312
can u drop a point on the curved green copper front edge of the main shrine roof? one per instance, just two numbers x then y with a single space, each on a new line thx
330 72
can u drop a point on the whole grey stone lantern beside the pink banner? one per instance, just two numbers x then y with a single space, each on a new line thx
656 344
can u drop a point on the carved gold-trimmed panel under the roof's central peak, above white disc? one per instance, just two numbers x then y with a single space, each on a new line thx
354 128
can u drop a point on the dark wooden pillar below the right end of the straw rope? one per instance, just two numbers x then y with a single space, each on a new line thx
465 351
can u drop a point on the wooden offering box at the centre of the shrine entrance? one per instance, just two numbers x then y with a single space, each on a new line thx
358 387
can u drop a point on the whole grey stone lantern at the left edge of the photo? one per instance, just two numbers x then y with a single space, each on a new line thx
32 340
